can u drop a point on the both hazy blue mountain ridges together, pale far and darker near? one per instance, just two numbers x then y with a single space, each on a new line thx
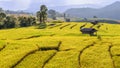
111 11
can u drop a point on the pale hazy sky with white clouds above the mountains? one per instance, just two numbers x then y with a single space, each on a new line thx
24 4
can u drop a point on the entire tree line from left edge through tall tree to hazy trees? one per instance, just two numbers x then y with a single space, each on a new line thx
11 21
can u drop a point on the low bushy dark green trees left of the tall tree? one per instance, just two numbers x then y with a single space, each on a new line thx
7 21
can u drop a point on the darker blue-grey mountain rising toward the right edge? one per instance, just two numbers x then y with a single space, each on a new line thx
110 11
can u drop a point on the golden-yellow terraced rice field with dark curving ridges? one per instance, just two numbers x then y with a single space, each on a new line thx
60 46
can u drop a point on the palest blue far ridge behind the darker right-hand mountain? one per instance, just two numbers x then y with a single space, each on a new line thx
34 7
